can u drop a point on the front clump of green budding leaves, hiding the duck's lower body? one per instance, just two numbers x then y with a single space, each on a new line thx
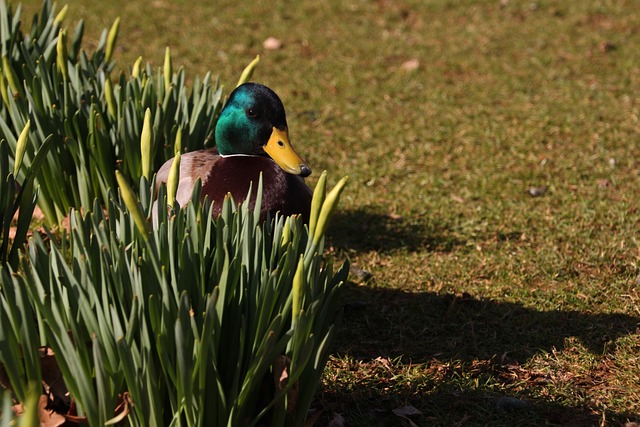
228 320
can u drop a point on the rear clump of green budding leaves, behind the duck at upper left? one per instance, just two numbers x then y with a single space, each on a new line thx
95 124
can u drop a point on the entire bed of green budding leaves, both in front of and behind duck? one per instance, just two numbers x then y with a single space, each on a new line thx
194 321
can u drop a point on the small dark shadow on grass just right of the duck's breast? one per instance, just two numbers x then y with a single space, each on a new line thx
361 230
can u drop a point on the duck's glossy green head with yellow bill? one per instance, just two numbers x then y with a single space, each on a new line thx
253 122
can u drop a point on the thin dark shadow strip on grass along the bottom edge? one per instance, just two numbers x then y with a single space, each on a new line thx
480 407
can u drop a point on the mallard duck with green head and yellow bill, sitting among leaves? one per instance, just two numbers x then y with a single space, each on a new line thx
251 137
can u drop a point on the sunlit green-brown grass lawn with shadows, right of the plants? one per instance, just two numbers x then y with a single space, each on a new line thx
492 212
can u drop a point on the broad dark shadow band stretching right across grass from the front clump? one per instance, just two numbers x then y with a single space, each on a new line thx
421 326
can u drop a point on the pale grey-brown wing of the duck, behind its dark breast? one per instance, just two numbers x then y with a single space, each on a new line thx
193 165
